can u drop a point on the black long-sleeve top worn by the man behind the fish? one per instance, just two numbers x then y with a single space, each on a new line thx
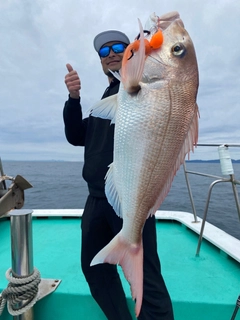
96 135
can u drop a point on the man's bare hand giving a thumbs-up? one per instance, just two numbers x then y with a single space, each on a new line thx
73 82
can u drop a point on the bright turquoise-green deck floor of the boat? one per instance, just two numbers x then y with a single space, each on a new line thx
203 288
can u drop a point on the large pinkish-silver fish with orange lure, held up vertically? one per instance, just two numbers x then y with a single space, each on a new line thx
156 117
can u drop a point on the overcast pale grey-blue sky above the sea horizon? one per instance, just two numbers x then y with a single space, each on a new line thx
38 38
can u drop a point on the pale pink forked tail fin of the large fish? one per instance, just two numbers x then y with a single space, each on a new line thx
130 257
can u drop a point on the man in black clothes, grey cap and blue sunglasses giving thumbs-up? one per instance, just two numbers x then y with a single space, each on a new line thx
99 222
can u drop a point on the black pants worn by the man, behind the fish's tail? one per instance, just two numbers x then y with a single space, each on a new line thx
99 225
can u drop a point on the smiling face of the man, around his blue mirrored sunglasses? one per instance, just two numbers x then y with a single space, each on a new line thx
113 61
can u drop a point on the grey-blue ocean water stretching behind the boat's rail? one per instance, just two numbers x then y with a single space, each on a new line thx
59 185
